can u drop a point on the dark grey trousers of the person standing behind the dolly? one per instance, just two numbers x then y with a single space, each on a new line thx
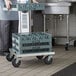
6 30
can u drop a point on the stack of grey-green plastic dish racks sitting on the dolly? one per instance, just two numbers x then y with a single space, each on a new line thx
31 43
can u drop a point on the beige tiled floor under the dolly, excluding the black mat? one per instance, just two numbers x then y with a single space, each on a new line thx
30 66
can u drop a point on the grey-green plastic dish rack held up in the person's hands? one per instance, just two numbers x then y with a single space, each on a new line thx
30 6
